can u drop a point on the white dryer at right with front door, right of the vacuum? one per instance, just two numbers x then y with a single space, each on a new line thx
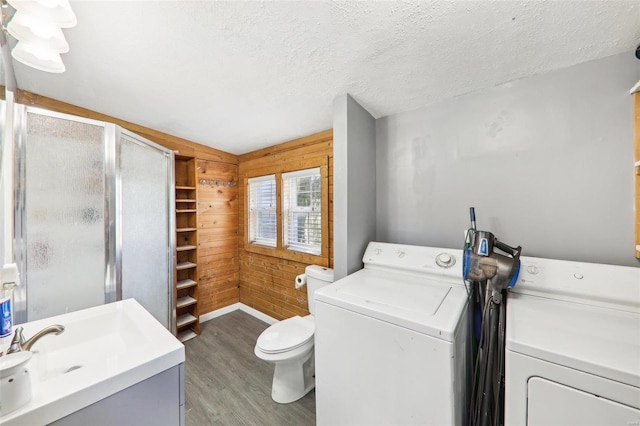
573 345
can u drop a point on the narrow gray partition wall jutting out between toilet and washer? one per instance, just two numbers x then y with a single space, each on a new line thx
354 184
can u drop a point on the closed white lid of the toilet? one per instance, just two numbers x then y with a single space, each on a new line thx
286 335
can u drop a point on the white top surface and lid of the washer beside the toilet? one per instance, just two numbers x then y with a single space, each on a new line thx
415 302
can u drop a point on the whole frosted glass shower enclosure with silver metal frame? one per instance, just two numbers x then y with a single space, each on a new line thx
93 219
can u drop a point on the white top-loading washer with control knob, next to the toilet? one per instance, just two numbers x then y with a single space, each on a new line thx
390 340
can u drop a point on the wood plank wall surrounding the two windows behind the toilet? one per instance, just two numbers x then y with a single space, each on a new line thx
266 282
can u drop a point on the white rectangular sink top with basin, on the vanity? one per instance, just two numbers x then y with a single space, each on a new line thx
102 351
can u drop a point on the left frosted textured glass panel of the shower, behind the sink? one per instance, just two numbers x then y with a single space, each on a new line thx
64 220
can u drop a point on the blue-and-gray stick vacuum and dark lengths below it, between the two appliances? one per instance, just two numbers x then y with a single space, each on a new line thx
489 274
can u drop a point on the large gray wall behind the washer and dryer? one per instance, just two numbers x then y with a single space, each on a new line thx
546 161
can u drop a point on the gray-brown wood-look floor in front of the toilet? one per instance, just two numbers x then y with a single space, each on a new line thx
226 384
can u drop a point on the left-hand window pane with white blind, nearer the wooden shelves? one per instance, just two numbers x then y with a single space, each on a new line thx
262 210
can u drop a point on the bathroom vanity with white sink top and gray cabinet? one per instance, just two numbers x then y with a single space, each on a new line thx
113 364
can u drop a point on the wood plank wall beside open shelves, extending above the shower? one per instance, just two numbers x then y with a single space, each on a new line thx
218 262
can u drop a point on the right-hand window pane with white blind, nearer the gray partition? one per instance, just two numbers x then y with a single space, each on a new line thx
302 212
